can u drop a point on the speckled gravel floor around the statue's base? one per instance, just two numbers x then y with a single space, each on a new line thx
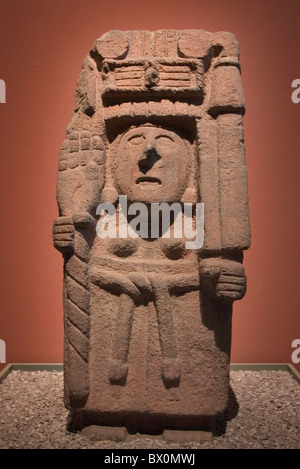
264 413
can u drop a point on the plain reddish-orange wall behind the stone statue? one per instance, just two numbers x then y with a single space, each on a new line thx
42 46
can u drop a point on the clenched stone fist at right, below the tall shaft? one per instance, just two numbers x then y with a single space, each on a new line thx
223 278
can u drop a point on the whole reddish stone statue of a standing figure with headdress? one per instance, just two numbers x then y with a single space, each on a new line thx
158 118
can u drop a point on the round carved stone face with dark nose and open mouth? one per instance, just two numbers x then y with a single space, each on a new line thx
151 165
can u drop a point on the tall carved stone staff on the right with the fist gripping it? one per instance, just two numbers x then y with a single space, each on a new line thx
228 227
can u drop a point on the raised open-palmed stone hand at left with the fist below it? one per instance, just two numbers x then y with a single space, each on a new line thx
79 183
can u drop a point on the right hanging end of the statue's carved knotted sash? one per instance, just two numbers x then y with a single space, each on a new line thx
170 362
